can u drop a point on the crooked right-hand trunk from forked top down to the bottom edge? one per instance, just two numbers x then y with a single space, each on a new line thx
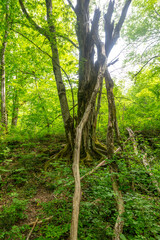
112 34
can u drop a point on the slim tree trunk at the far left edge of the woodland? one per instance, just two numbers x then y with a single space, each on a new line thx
4 117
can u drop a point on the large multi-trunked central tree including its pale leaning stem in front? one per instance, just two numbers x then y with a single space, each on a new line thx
91 75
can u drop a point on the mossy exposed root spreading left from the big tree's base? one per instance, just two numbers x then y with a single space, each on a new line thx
66 152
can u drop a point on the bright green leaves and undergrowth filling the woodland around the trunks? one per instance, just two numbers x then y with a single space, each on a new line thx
31 144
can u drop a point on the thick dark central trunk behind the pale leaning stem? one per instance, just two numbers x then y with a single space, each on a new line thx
88 71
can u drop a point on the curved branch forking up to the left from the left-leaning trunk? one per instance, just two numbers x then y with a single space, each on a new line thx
32 22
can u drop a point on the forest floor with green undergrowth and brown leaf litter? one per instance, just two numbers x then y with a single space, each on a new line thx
33 196
